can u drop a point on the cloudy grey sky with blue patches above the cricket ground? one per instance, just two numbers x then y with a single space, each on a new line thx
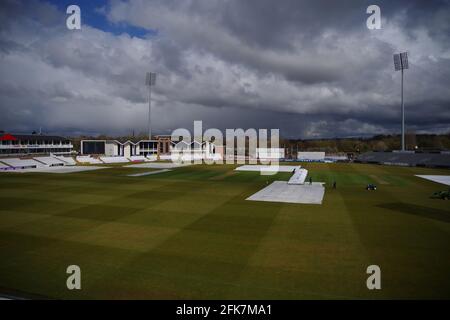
310 68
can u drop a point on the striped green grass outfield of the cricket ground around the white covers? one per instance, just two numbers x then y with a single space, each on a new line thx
190 234
